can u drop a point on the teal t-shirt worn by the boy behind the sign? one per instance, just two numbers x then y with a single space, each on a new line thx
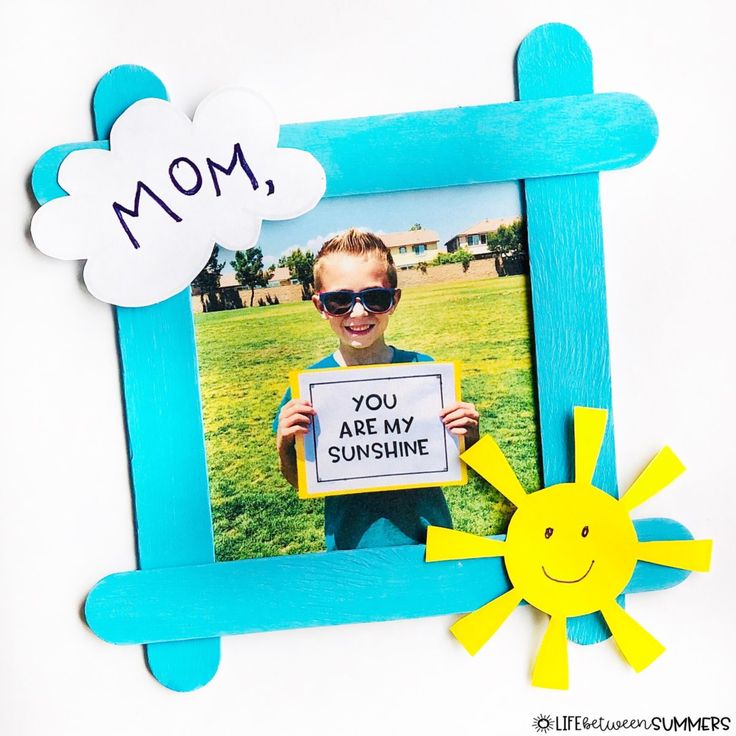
381 518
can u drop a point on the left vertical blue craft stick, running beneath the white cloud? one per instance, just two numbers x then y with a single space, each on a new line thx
164 419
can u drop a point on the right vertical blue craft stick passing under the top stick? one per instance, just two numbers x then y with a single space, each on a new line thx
567 283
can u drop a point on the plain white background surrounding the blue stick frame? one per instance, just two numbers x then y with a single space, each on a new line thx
65 519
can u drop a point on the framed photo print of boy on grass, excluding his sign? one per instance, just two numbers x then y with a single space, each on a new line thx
407 277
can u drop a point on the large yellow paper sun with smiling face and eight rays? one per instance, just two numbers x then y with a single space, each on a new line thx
570 549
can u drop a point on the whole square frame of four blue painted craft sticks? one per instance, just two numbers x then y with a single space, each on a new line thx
555 139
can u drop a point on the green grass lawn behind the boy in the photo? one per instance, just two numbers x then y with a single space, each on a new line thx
245 356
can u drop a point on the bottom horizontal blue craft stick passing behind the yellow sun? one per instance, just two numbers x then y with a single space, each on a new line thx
314 590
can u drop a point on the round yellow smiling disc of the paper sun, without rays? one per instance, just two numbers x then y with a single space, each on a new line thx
570 549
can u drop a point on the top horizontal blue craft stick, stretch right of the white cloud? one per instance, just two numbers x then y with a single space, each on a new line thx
470 145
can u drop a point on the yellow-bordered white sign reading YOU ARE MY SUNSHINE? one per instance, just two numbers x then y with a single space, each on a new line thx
378 428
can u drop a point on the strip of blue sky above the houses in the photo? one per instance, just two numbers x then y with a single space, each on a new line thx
447 211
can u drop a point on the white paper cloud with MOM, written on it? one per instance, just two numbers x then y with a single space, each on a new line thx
146 213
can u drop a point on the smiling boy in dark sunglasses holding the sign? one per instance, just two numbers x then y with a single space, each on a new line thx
355 293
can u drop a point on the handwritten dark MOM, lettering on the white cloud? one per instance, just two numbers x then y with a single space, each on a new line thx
187 178
